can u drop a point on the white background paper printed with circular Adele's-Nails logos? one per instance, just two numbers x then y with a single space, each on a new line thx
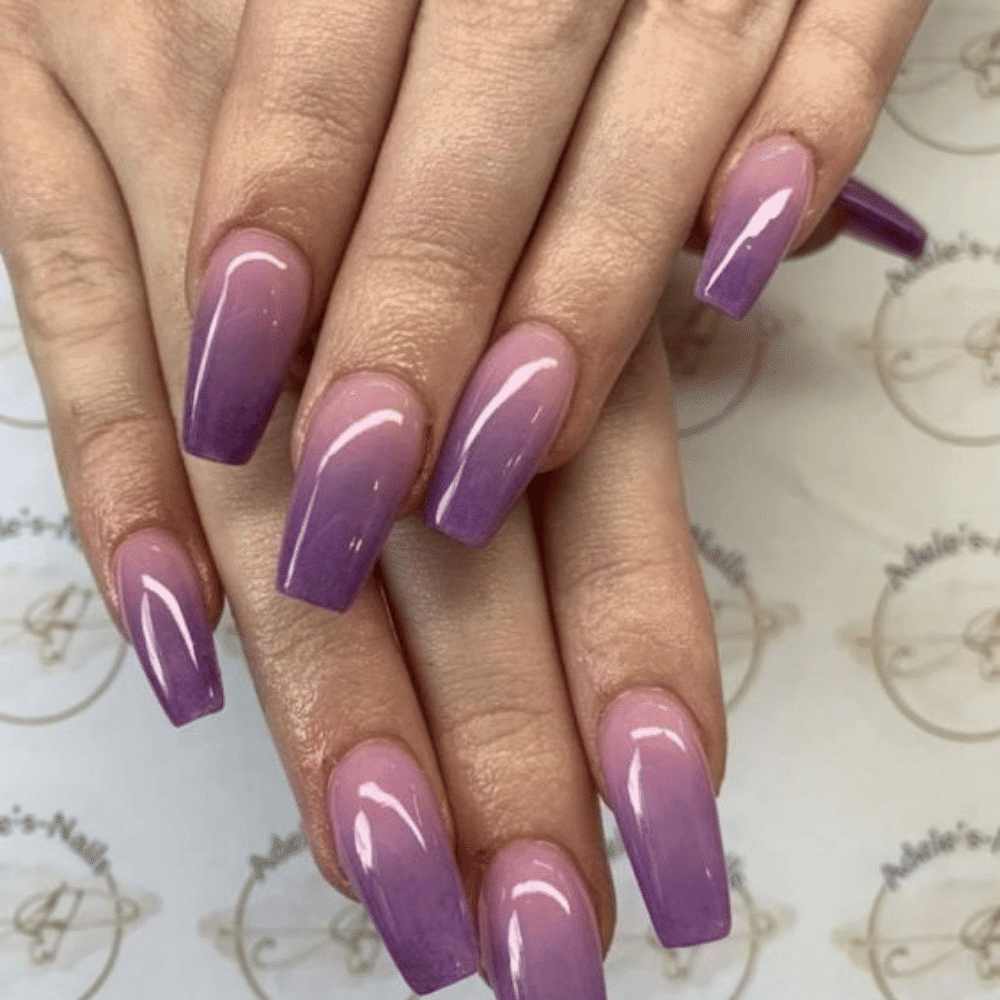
817 478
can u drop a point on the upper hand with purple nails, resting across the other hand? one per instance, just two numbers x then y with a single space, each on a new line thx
409 184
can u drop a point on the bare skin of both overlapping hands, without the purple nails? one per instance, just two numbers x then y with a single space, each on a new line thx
111 168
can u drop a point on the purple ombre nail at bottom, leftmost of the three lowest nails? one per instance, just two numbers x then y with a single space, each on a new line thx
393 847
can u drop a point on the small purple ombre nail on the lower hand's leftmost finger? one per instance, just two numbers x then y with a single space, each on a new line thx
164 614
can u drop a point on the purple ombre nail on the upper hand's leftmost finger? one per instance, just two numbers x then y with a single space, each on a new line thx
246 330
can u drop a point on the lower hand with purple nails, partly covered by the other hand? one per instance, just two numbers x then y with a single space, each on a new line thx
494 690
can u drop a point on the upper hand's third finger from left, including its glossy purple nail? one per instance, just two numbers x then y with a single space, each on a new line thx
672 86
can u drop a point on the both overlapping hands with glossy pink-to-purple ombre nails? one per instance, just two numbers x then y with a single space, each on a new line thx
405 185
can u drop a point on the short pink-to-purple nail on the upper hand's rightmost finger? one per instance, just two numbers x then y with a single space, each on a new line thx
760 213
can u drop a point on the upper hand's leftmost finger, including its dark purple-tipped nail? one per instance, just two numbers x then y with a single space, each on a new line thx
292 149
